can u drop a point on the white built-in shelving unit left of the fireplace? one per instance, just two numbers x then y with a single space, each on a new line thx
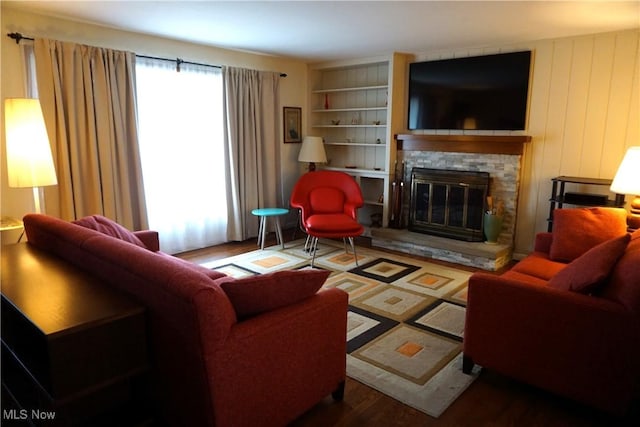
351 109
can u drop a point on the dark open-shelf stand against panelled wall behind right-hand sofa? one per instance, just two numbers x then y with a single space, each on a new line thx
560 196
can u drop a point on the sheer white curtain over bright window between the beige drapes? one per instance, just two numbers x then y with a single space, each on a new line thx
180 121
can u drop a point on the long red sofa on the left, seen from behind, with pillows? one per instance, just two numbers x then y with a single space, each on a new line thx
224 352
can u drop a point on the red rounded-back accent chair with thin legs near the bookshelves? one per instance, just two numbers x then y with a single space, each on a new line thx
328 203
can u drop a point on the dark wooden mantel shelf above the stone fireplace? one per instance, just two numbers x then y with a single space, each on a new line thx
485 144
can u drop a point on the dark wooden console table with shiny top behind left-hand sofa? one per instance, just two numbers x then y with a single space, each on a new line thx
73 349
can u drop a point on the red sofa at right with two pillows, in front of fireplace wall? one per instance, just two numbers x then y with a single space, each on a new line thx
567 317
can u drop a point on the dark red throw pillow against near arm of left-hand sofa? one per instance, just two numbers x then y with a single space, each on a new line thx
258 294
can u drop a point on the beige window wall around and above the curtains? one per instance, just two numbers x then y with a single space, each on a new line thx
17 202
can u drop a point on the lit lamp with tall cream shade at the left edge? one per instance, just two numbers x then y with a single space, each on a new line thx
29 159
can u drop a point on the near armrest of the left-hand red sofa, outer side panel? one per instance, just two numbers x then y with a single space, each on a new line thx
287 359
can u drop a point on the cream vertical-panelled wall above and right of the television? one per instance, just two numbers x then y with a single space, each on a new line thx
583 114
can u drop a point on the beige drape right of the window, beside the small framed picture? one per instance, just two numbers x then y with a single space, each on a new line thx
252 109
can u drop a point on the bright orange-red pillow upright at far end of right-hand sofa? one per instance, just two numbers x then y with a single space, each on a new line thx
575 231
